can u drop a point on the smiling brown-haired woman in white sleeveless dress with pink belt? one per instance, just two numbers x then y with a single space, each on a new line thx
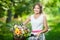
38 22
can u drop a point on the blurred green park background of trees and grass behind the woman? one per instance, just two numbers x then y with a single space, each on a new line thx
16 11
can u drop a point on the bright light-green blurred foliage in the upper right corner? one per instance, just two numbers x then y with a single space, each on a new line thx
52 7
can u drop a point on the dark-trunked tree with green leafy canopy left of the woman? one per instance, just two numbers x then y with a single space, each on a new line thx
20 7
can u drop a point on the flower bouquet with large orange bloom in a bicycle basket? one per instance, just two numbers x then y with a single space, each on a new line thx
20 32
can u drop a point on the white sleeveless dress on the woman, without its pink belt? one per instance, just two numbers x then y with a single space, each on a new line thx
37 24
